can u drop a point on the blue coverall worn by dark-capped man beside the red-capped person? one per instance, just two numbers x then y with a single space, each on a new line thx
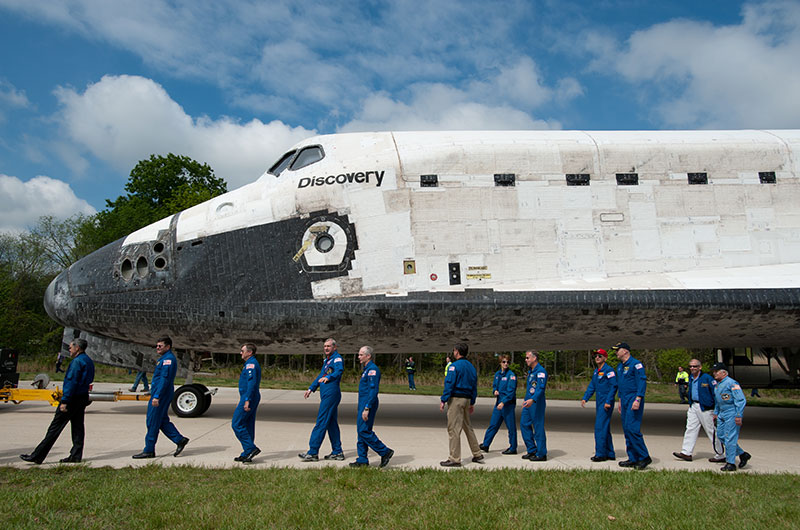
632 383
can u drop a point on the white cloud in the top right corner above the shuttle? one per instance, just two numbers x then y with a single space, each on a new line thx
700 75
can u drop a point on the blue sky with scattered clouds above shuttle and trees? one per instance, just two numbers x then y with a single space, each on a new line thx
90 87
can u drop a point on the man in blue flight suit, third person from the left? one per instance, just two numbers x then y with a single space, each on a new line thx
244 417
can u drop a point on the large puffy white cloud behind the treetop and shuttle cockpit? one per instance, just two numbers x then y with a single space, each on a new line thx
124 119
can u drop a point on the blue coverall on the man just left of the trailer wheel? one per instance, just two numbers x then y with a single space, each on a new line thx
161 388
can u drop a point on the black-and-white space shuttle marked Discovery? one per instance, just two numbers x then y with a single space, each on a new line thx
411 241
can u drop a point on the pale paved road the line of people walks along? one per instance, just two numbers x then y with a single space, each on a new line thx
411 425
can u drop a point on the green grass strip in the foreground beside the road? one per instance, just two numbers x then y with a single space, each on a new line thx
188 497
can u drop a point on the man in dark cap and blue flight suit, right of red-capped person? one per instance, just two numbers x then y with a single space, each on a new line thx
632 384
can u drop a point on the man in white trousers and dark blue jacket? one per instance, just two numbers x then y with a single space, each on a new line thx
700 414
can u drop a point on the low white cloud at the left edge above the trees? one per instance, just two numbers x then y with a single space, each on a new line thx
23 202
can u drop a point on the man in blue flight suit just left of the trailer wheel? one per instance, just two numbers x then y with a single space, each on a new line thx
162 388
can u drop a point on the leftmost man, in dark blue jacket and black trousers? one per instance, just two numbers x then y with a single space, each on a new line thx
79 376
